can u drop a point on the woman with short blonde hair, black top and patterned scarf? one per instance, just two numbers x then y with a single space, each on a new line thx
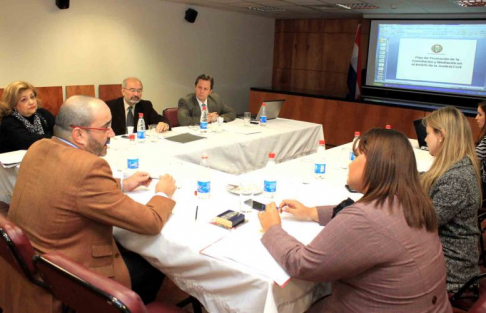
22 121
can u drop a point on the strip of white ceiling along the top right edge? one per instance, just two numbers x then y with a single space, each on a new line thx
310 9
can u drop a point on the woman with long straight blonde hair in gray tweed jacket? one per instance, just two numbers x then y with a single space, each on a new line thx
453 183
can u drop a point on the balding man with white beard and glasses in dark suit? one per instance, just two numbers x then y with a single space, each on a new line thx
125 110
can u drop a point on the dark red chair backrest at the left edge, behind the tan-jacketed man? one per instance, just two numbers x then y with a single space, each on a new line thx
16 249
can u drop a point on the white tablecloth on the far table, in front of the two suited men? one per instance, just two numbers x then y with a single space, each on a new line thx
287 138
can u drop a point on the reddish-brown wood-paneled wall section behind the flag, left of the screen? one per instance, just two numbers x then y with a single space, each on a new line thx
315 54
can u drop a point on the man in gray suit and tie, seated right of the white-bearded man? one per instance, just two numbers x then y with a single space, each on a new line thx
189 107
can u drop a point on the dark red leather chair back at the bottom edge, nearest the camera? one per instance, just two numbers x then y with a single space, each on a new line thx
86 291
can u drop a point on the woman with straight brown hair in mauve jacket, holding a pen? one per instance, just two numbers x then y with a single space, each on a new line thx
382 253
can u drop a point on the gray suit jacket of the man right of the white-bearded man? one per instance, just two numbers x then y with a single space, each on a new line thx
189 112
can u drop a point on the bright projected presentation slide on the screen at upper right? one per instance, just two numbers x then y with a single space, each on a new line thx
446 56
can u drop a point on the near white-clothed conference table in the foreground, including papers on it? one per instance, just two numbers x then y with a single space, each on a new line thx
230 270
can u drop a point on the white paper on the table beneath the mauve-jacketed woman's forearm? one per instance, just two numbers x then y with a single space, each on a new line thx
245 247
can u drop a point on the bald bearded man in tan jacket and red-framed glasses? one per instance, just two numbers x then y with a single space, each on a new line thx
66 200
